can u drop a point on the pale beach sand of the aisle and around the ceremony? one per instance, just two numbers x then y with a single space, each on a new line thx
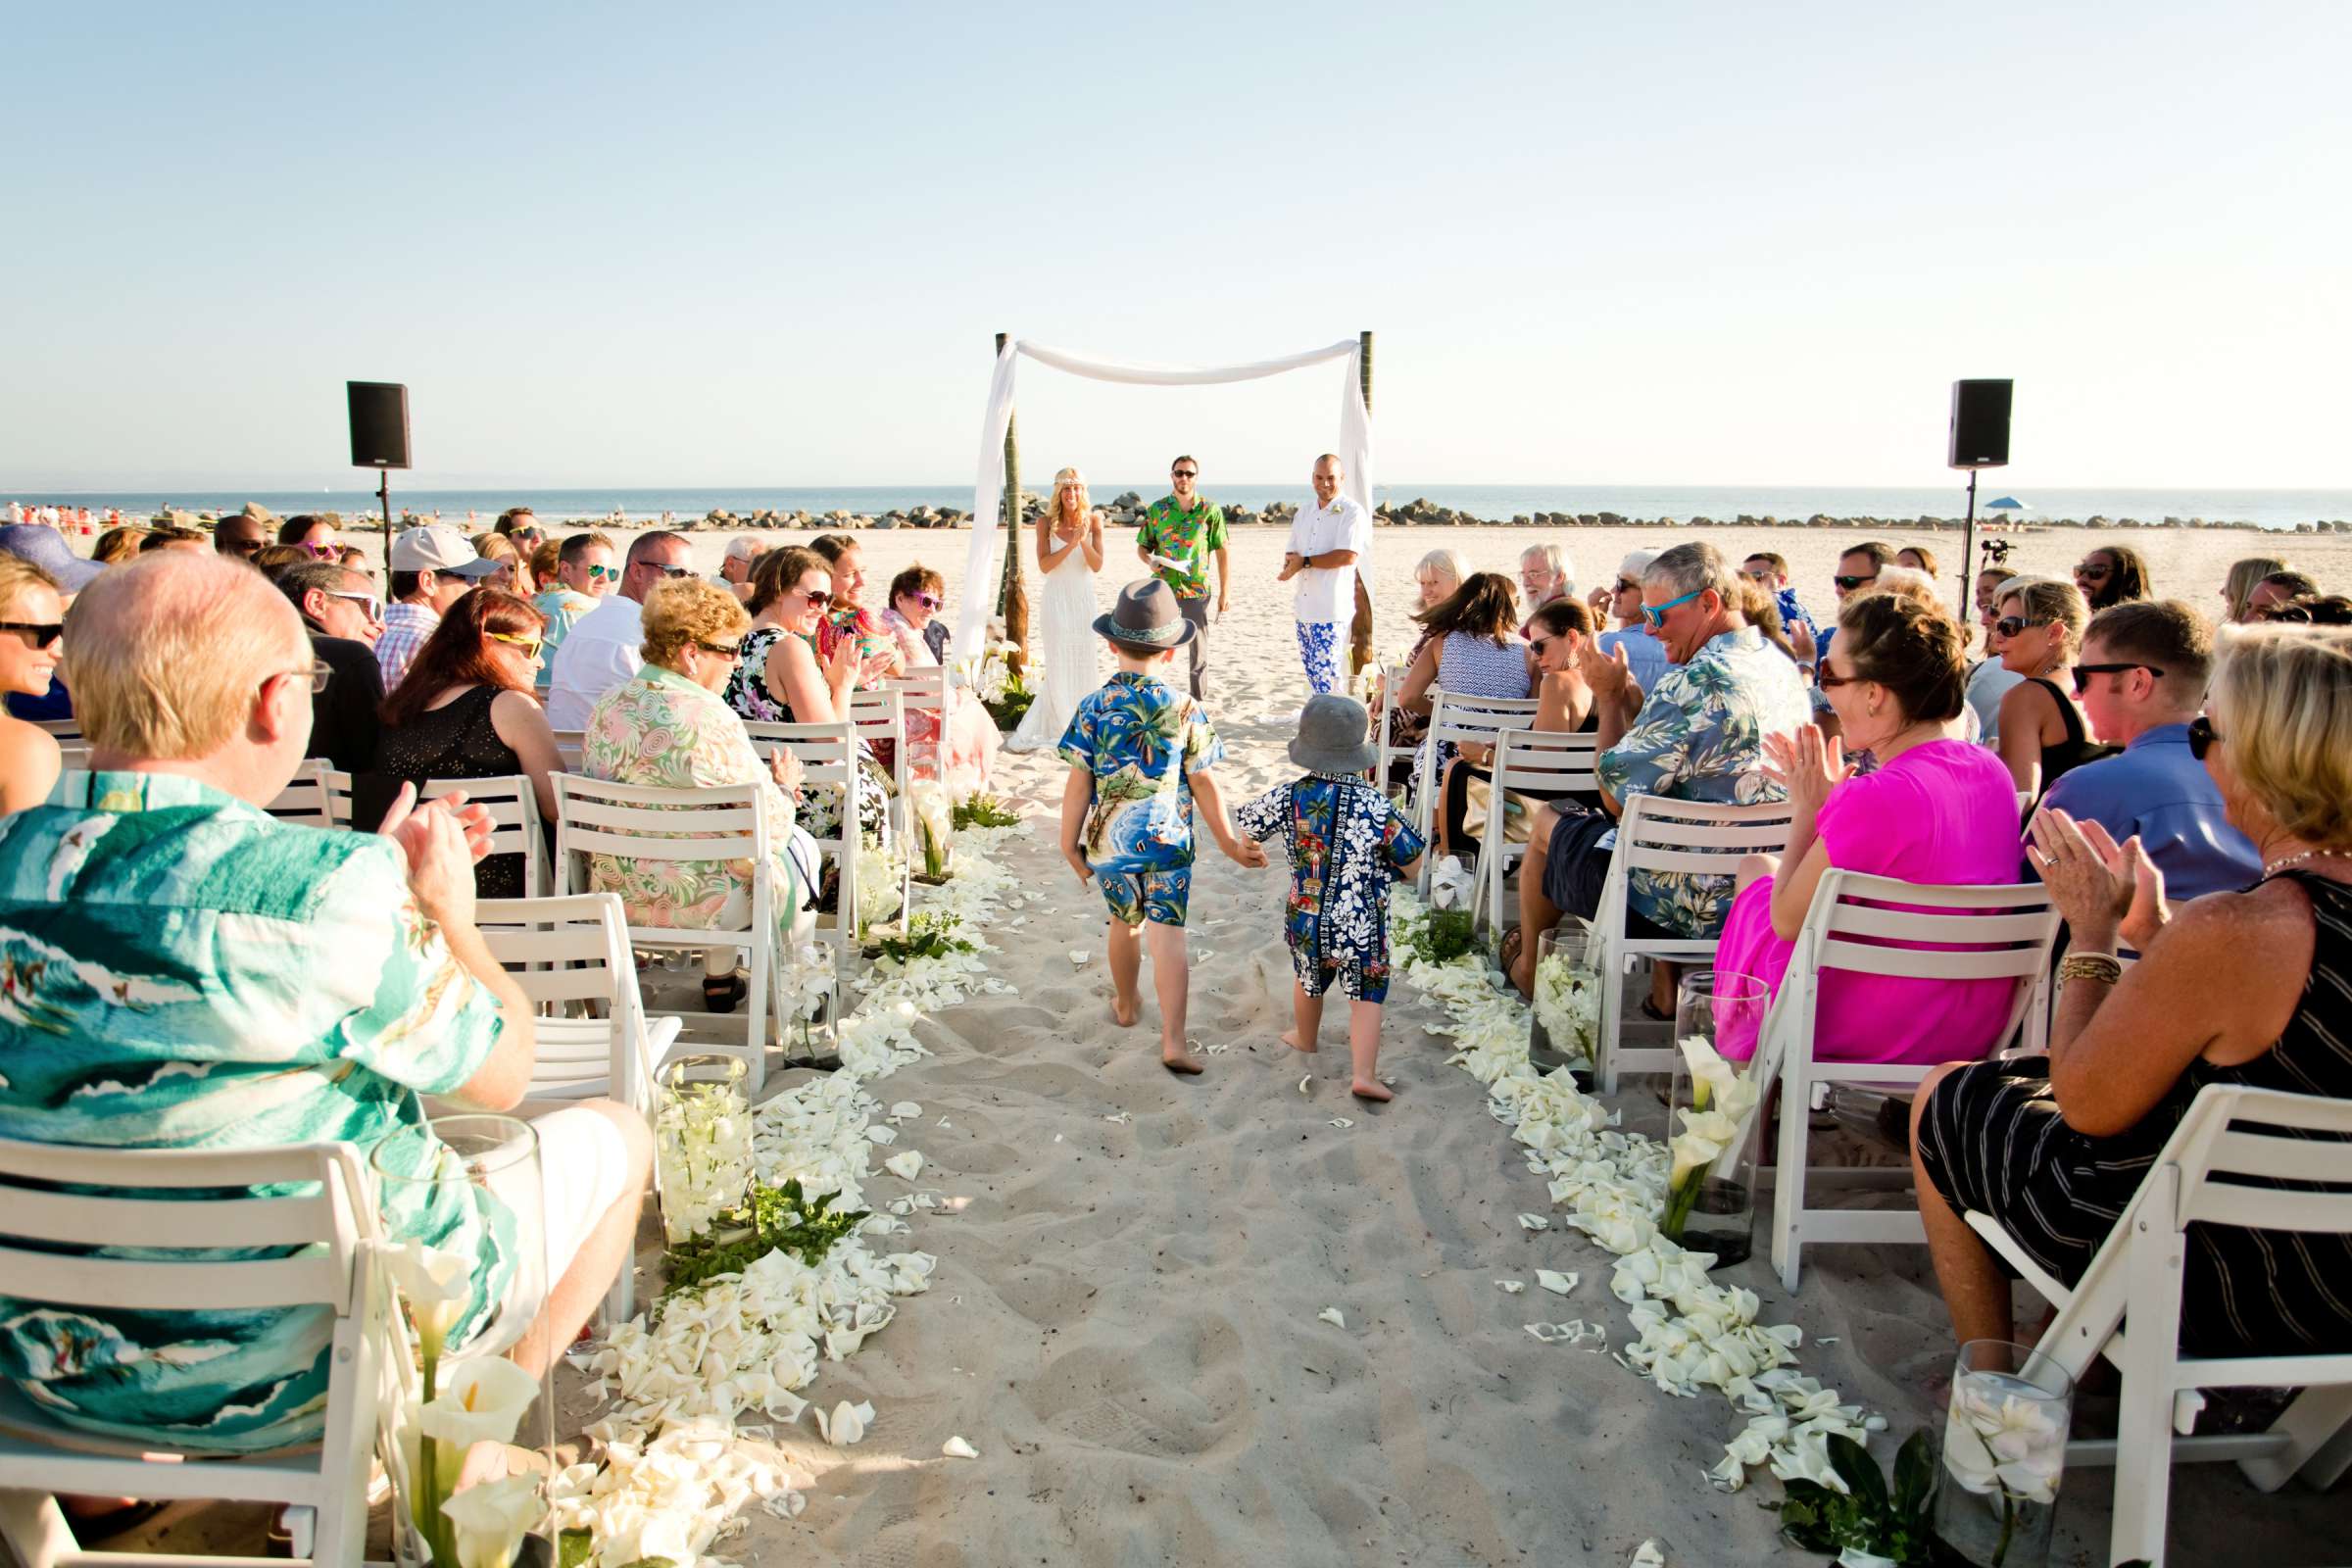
1125 1320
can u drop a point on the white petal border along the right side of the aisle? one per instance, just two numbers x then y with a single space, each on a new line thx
1690 1334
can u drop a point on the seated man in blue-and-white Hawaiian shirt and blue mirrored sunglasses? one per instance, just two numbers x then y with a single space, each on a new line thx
1699 735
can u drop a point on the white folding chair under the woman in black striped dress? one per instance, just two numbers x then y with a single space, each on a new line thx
2214 1172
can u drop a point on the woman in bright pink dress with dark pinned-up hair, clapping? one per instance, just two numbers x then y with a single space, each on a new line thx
1937 810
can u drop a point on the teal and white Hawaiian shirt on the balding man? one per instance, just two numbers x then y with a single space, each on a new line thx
182 970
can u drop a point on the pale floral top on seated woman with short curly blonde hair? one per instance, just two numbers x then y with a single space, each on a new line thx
667 732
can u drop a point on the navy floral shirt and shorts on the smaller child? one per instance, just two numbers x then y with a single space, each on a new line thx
1347 843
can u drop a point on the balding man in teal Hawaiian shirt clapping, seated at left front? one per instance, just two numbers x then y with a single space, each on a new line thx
288 986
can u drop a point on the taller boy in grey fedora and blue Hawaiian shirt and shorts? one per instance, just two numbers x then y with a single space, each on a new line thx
1140 751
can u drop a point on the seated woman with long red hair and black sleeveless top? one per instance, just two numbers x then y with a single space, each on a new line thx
467 711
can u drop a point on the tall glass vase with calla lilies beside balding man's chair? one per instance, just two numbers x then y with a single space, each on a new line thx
474 1184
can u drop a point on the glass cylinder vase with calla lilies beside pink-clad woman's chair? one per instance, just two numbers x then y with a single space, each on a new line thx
1713 1118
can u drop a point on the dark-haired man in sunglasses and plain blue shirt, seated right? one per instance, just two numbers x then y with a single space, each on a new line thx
2141 681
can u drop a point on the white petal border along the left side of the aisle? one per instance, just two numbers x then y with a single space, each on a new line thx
728 1360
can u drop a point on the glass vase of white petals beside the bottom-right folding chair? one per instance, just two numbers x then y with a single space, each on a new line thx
2003 1454
